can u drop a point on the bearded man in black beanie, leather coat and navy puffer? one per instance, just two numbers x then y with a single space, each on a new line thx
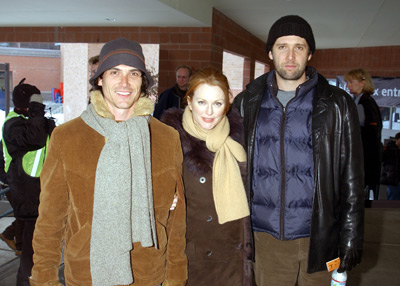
304 157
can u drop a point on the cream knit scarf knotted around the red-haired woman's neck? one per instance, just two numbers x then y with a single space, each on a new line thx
228 190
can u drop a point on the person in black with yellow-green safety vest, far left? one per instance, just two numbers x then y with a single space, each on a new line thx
26 133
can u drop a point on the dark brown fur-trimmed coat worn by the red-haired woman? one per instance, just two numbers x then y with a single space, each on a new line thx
218 254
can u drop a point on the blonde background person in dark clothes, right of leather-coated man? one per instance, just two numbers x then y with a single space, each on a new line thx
360 84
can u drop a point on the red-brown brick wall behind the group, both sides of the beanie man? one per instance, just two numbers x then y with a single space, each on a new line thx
201 47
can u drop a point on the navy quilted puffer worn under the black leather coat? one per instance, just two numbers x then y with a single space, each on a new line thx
283 167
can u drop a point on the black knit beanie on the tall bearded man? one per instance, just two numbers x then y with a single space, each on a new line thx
290 26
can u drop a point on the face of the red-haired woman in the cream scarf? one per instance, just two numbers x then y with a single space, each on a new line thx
207 106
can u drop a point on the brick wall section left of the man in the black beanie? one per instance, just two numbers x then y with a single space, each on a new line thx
197 47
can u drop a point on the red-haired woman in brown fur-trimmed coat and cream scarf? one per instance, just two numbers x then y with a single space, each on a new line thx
218 228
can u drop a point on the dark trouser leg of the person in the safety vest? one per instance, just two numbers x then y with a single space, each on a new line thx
26 261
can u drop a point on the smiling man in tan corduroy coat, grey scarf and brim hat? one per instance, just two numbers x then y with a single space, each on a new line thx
108 184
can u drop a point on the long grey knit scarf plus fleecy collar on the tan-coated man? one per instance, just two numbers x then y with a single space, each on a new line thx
123 211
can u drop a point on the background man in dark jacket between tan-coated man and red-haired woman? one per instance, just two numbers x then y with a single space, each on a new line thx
174 96
